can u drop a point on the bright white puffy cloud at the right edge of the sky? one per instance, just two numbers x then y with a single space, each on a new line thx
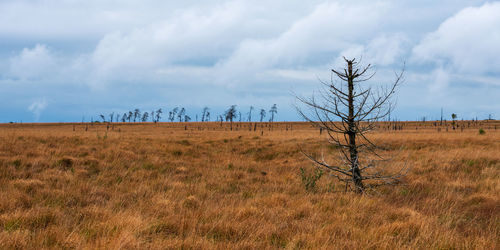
466 42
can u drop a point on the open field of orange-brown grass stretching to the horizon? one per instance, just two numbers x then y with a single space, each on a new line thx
204 186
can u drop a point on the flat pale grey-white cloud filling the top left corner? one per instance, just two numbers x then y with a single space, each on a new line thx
88 19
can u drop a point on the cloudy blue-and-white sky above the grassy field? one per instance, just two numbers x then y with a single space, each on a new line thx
72 60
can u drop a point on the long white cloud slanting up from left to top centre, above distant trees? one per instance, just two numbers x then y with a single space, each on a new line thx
192 38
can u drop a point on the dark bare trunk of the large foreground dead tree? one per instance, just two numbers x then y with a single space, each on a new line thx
356 174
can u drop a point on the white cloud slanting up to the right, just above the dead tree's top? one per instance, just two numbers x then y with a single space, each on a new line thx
321 34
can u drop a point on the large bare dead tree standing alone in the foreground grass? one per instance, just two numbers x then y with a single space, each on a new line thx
347 110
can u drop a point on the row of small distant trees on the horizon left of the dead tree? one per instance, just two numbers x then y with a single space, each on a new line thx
180 114
